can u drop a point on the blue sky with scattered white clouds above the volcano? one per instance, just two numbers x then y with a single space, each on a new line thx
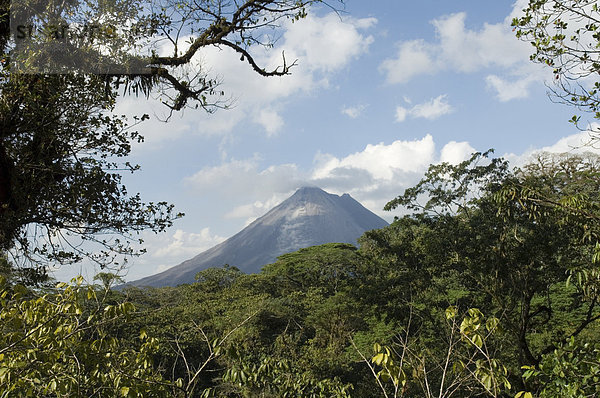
381 90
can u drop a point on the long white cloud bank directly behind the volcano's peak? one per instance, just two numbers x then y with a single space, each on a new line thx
373 175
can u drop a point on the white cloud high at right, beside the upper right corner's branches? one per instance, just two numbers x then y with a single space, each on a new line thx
492 47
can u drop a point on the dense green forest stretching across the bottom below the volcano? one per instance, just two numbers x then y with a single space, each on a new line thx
489 287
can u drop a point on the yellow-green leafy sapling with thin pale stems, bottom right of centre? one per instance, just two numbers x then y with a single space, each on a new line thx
466 369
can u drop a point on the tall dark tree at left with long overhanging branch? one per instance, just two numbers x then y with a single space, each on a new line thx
62 150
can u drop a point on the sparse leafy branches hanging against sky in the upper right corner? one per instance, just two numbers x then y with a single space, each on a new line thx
565 37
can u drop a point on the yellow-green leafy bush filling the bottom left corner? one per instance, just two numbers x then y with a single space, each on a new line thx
57 345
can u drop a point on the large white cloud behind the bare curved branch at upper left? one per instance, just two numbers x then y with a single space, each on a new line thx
322 46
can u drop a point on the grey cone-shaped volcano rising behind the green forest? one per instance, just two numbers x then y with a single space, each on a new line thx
309 217
